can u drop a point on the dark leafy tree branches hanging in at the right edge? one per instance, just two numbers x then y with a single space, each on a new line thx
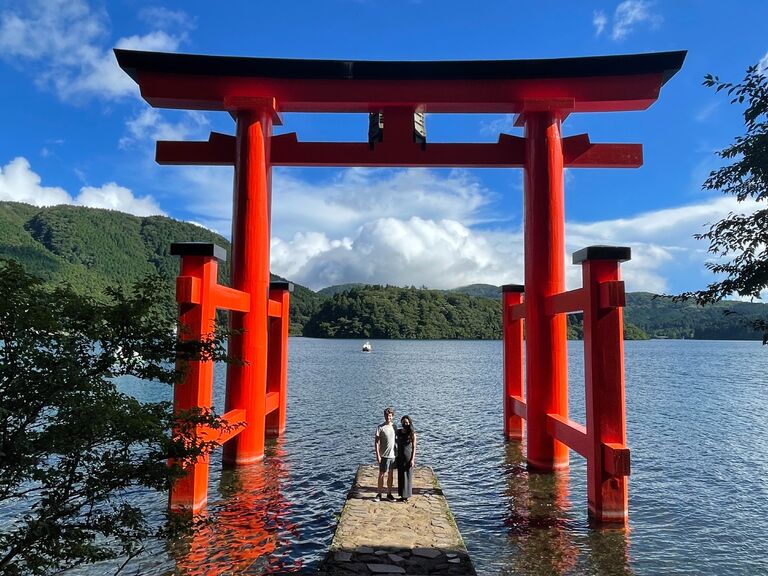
740 241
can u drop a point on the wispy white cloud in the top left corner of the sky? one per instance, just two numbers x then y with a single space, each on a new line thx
66 46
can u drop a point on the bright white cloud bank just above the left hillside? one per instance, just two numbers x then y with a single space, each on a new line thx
19 183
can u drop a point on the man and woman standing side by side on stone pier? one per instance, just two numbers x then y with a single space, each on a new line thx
395 448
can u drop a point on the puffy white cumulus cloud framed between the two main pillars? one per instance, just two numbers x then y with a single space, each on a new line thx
438 254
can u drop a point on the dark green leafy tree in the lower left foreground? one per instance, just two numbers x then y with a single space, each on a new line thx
73 446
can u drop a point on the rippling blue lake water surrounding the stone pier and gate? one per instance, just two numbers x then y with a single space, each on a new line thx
697 430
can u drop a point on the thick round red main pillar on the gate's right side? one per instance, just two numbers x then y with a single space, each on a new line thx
546 352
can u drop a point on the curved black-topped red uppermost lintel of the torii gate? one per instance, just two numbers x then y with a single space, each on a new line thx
597 83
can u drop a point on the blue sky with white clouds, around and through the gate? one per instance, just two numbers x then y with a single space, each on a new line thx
75 130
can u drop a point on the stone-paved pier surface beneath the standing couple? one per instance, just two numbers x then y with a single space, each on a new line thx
414 537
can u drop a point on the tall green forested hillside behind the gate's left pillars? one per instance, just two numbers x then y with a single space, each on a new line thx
92 248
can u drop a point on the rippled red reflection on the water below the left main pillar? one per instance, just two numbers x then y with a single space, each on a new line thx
245 530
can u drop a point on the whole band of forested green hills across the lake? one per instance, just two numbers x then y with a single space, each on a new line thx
92 249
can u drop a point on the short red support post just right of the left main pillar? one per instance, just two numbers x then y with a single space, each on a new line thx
277 368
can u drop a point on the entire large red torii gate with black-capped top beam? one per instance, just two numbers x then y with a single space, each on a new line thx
543 93
